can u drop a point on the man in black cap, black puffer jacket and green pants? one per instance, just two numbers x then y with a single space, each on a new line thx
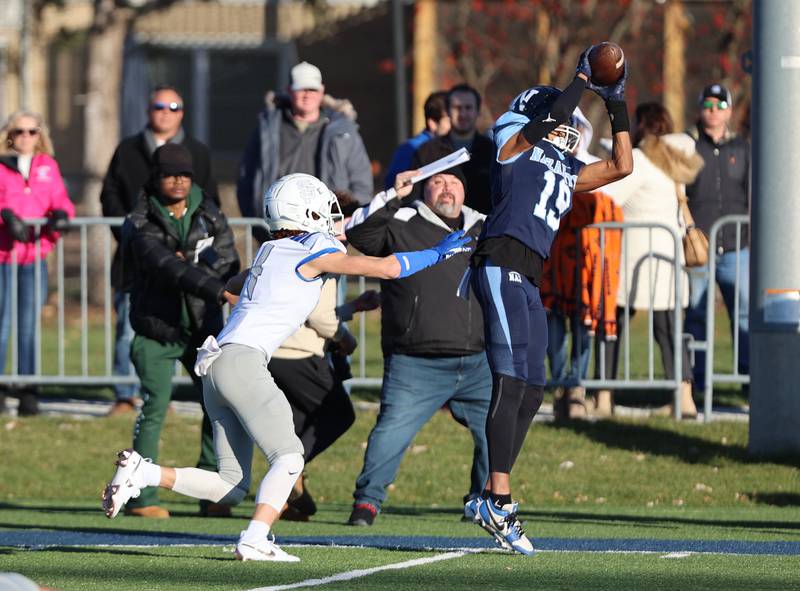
178 252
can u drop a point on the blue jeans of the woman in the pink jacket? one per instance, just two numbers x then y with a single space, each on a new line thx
27 310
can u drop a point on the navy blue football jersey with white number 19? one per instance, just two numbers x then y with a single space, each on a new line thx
530 195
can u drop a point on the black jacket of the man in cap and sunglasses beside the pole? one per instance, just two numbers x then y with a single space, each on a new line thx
722 187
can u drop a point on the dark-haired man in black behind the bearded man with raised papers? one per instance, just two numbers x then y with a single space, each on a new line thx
463 107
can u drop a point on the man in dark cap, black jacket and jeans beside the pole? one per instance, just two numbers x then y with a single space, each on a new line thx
722 188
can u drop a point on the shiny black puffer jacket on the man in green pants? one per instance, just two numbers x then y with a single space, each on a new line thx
159 280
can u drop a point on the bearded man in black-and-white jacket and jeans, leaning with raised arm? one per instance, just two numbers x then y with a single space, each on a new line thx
432 340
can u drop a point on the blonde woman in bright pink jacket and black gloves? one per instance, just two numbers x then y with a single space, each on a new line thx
30 187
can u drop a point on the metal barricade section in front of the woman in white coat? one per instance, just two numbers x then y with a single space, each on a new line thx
626 381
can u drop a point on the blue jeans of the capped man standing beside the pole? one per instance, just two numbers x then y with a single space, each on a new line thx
695 323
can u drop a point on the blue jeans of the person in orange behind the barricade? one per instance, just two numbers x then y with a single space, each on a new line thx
557 348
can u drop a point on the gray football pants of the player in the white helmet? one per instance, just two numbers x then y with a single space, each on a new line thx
245 407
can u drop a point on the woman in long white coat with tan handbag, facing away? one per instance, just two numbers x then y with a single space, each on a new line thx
663 163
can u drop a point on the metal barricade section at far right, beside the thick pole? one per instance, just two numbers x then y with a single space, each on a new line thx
708 346
